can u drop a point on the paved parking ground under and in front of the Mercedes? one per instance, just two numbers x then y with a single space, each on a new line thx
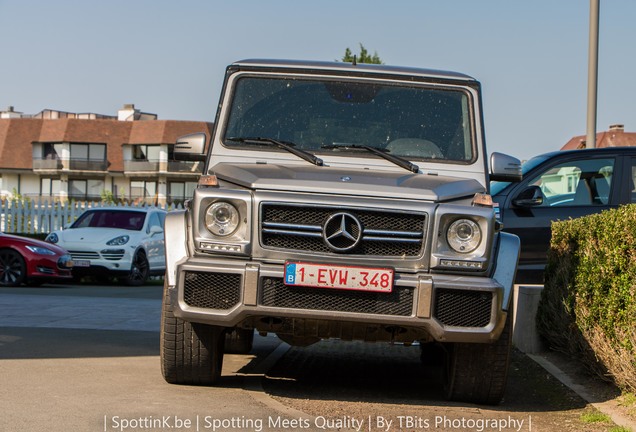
85 358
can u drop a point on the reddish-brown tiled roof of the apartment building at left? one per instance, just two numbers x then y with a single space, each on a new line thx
17 136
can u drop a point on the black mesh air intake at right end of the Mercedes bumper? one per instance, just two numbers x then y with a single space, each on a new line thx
461 308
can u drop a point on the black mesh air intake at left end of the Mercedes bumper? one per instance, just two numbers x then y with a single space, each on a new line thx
212 290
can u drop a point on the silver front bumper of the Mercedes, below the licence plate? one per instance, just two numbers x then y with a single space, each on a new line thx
422 306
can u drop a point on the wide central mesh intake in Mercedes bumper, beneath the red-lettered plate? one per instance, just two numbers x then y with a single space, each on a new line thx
275 293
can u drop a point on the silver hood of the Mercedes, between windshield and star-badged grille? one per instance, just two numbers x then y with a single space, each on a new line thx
363 182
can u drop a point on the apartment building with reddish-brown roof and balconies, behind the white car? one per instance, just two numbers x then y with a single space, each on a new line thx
57 155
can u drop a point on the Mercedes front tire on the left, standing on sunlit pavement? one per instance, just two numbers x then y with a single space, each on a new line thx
191 353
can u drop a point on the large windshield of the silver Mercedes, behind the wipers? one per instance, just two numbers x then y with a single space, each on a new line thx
320 116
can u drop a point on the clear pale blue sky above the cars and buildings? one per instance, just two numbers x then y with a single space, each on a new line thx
169 57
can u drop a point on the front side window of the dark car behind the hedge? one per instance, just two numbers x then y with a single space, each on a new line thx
576 183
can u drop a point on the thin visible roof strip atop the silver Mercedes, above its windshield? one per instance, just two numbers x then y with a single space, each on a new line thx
358 68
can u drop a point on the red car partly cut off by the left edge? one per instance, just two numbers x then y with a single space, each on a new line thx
32 262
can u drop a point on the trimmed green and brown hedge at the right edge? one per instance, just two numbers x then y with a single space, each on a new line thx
588 305
